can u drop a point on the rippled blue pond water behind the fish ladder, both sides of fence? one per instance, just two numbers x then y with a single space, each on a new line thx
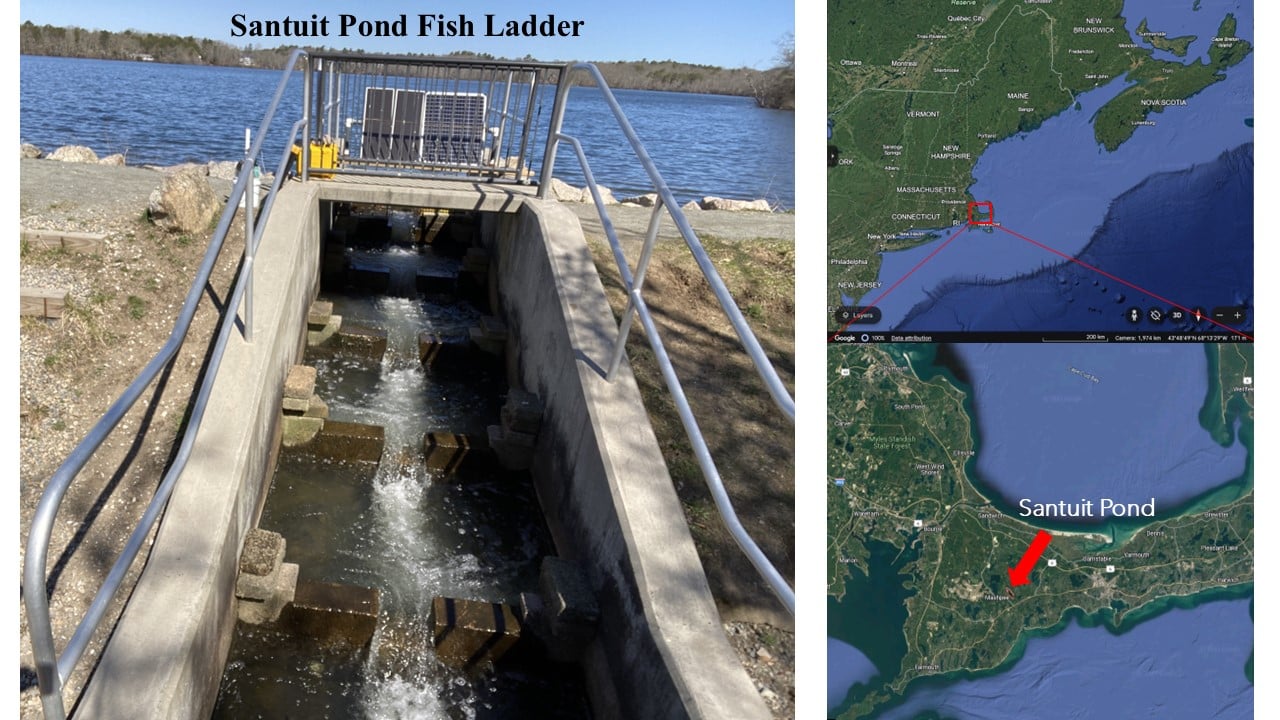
164 115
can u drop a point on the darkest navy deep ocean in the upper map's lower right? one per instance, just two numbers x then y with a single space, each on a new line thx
1185 236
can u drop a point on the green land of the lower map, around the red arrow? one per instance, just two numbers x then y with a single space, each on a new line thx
900 452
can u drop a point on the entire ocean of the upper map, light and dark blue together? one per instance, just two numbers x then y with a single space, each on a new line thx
1058 186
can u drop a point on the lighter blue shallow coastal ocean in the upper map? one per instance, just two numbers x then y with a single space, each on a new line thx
1057 184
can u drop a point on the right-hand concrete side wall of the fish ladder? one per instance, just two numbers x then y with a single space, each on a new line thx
661 650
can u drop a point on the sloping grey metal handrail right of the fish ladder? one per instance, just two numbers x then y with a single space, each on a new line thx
637 307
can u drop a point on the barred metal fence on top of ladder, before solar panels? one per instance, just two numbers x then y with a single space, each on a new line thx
428 117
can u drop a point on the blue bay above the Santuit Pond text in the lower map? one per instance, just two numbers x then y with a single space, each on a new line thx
1064 422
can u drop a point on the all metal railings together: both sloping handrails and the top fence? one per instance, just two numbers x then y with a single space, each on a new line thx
496 139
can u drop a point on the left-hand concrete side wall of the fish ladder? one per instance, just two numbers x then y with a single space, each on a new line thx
167 655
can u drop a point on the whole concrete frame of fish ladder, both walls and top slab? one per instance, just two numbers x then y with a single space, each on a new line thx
659 649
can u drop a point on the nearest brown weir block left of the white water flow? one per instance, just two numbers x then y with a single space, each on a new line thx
333 613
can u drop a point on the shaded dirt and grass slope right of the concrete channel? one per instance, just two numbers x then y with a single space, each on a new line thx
751 441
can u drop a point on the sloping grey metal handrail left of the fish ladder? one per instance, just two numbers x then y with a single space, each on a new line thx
52 668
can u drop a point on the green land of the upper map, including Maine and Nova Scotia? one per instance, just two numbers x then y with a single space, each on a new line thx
918 92
